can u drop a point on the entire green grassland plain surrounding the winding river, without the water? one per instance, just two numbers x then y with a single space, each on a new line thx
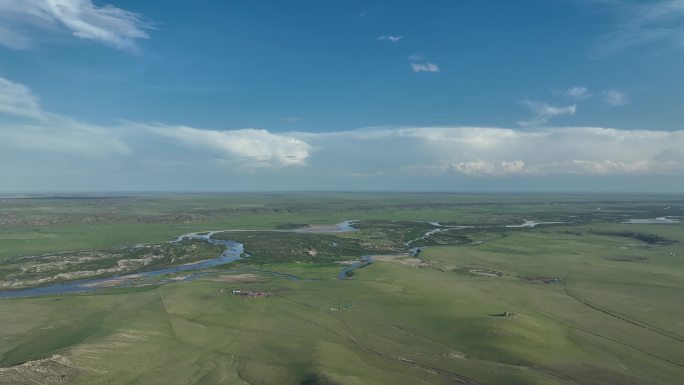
592 301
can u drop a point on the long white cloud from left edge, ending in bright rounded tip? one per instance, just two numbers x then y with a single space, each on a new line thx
51 133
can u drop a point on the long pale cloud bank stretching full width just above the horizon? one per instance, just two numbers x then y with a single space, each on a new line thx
44 151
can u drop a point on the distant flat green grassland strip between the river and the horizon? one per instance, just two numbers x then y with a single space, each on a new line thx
45 225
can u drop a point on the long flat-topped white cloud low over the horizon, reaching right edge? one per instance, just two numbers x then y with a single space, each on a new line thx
440 151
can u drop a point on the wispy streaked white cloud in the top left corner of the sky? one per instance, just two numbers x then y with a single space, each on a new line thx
105 24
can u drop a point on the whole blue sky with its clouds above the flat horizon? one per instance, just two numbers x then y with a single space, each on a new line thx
272 95
